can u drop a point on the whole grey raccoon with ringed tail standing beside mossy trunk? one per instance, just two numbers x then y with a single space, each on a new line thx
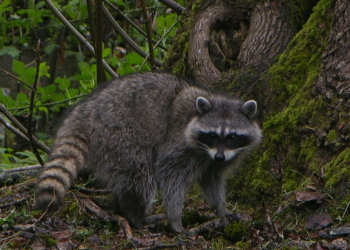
150 131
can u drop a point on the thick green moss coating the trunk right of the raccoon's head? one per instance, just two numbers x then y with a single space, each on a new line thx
287 153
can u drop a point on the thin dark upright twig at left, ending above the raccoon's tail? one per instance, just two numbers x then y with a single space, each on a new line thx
31 108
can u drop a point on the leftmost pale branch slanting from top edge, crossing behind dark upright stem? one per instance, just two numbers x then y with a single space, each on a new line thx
78 35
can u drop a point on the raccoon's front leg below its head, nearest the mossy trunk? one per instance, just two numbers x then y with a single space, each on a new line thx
212 182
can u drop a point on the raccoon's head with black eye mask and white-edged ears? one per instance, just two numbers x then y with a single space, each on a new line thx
223 127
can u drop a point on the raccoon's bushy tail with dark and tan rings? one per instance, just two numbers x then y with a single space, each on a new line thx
67 159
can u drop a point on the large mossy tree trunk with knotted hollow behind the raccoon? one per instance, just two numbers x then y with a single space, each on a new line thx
293 58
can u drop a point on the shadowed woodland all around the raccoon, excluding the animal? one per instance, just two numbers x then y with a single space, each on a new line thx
292 57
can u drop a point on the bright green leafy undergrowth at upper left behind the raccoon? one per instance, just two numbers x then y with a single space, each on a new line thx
23 23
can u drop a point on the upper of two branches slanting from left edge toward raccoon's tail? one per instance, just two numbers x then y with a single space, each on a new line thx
22 129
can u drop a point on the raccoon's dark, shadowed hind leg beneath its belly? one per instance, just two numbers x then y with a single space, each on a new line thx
135 198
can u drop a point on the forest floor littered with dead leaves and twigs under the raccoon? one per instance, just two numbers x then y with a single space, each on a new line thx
84 222
